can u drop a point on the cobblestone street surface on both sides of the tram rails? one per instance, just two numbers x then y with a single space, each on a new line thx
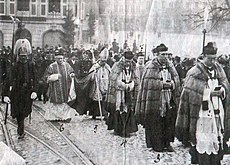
100 145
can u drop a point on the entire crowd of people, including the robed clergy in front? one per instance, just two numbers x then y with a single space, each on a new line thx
169 97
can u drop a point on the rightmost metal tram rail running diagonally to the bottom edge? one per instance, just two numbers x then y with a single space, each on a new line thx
76 150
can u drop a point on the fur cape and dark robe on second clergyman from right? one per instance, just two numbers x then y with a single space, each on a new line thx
149 105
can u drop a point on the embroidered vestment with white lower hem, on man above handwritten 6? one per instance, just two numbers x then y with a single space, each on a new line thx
59 92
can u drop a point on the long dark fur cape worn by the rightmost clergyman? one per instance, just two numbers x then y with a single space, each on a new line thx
191 101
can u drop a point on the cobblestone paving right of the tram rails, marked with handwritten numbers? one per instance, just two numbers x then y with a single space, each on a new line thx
104 148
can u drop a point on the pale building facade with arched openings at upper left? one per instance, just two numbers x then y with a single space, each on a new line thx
42 18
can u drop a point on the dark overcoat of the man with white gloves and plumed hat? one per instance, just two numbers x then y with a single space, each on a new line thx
23 82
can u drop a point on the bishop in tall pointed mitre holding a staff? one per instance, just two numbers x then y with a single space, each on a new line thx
101 83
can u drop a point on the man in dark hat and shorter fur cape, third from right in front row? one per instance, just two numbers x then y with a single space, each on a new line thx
121 96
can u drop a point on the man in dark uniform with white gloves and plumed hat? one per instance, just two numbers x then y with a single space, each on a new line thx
20 88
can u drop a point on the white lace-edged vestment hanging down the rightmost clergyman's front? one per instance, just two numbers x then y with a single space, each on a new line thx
207 132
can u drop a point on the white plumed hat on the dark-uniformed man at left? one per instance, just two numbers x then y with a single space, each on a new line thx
22 46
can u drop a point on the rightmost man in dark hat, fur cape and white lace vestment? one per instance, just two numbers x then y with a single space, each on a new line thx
202 119
